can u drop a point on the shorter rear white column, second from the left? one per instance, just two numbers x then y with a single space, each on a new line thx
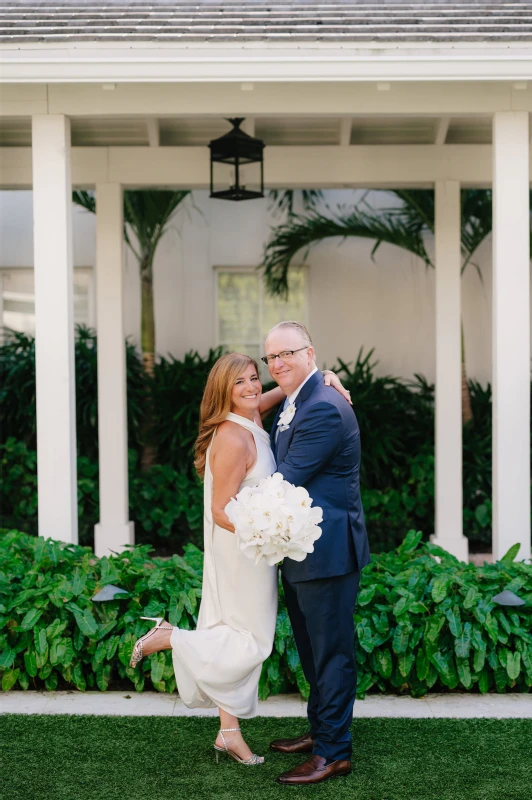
114 530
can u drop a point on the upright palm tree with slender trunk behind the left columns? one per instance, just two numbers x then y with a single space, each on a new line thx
147 215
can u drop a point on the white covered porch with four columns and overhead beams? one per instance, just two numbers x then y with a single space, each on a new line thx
107 133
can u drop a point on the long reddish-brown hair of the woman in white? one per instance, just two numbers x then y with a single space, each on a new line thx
216 402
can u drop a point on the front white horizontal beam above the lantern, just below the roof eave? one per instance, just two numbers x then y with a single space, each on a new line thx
421 98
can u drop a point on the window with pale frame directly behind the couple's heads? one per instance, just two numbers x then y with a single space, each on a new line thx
246 312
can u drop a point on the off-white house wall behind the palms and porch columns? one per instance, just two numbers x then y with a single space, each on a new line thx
353 302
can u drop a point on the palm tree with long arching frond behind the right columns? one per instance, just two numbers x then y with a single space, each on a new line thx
405 225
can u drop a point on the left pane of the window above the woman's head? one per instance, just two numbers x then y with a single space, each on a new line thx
238 307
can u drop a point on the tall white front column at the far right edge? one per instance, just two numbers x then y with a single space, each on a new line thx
511 334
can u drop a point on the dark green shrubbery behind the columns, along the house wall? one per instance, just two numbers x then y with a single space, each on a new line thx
396 419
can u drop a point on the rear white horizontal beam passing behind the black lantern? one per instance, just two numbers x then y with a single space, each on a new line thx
359 166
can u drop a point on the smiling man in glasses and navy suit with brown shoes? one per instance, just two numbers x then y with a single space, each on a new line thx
316 442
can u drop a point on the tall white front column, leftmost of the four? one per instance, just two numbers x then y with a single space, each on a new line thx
54 329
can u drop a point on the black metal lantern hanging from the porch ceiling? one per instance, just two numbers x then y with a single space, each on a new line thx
237 149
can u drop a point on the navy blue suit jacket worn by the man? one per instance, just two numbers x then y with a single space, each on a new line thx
320 450
